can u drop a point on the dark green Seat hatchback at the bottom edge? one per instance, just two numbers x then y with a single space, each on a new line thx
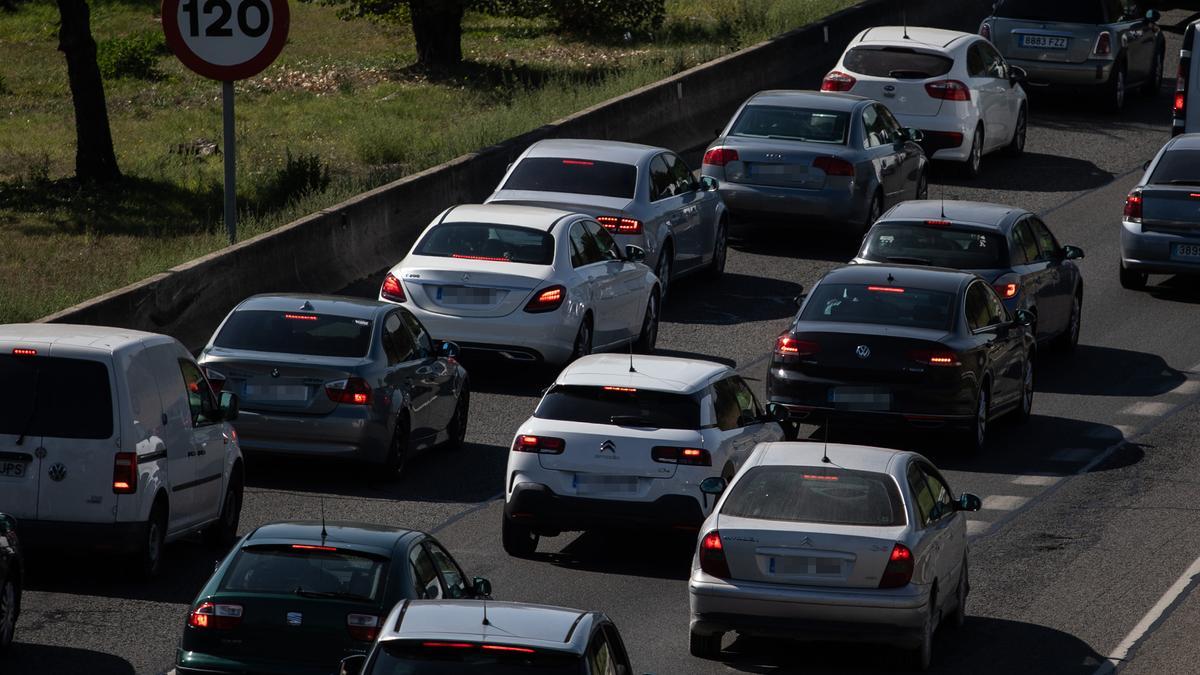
299 598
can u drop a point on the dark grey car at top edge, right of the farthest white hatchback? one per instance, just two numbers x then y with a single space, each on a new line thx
1101 45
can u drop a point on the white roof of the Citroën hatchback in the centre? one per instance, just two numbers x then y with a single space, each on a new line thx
652 373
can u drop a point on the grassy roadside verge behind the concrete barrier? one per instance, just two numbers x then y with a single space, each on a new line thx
340 112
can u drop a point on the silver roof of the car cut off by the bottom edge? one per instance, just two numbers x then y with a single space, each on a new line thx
507 623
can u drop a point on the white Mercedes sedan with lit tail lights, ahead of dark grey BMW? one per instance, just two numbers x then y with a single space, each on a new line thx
527 284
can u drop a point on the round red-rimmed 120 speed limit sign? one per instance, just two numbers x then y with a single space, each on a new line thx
226 40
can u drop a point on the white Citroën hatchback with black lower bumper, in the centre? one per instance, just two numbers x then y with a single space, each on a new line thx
627 441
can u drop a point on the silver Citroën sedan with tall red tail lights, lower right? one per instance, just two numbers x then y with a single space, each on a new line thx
831 542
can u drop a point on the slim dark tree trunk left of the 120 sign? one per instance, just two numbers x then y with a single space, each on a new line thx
95 162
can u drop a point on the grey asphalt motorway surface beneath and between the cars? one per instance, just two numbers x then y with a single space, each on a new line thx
1084 549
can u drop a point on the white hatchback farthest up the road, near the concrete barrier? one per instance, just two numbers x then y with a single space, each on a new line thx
953 87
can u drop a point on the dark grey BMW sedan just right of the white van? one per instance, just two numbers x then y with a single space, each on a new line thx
322 375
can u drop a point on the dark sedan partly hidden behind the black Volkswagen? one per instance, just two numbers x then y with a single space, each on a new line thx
1010 248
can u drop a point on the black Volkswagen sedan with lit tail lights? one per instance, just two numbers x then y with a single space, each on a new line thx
928 348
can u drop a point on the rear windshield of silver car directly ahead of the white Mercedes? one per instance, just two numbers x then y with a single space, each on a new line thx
574 176
